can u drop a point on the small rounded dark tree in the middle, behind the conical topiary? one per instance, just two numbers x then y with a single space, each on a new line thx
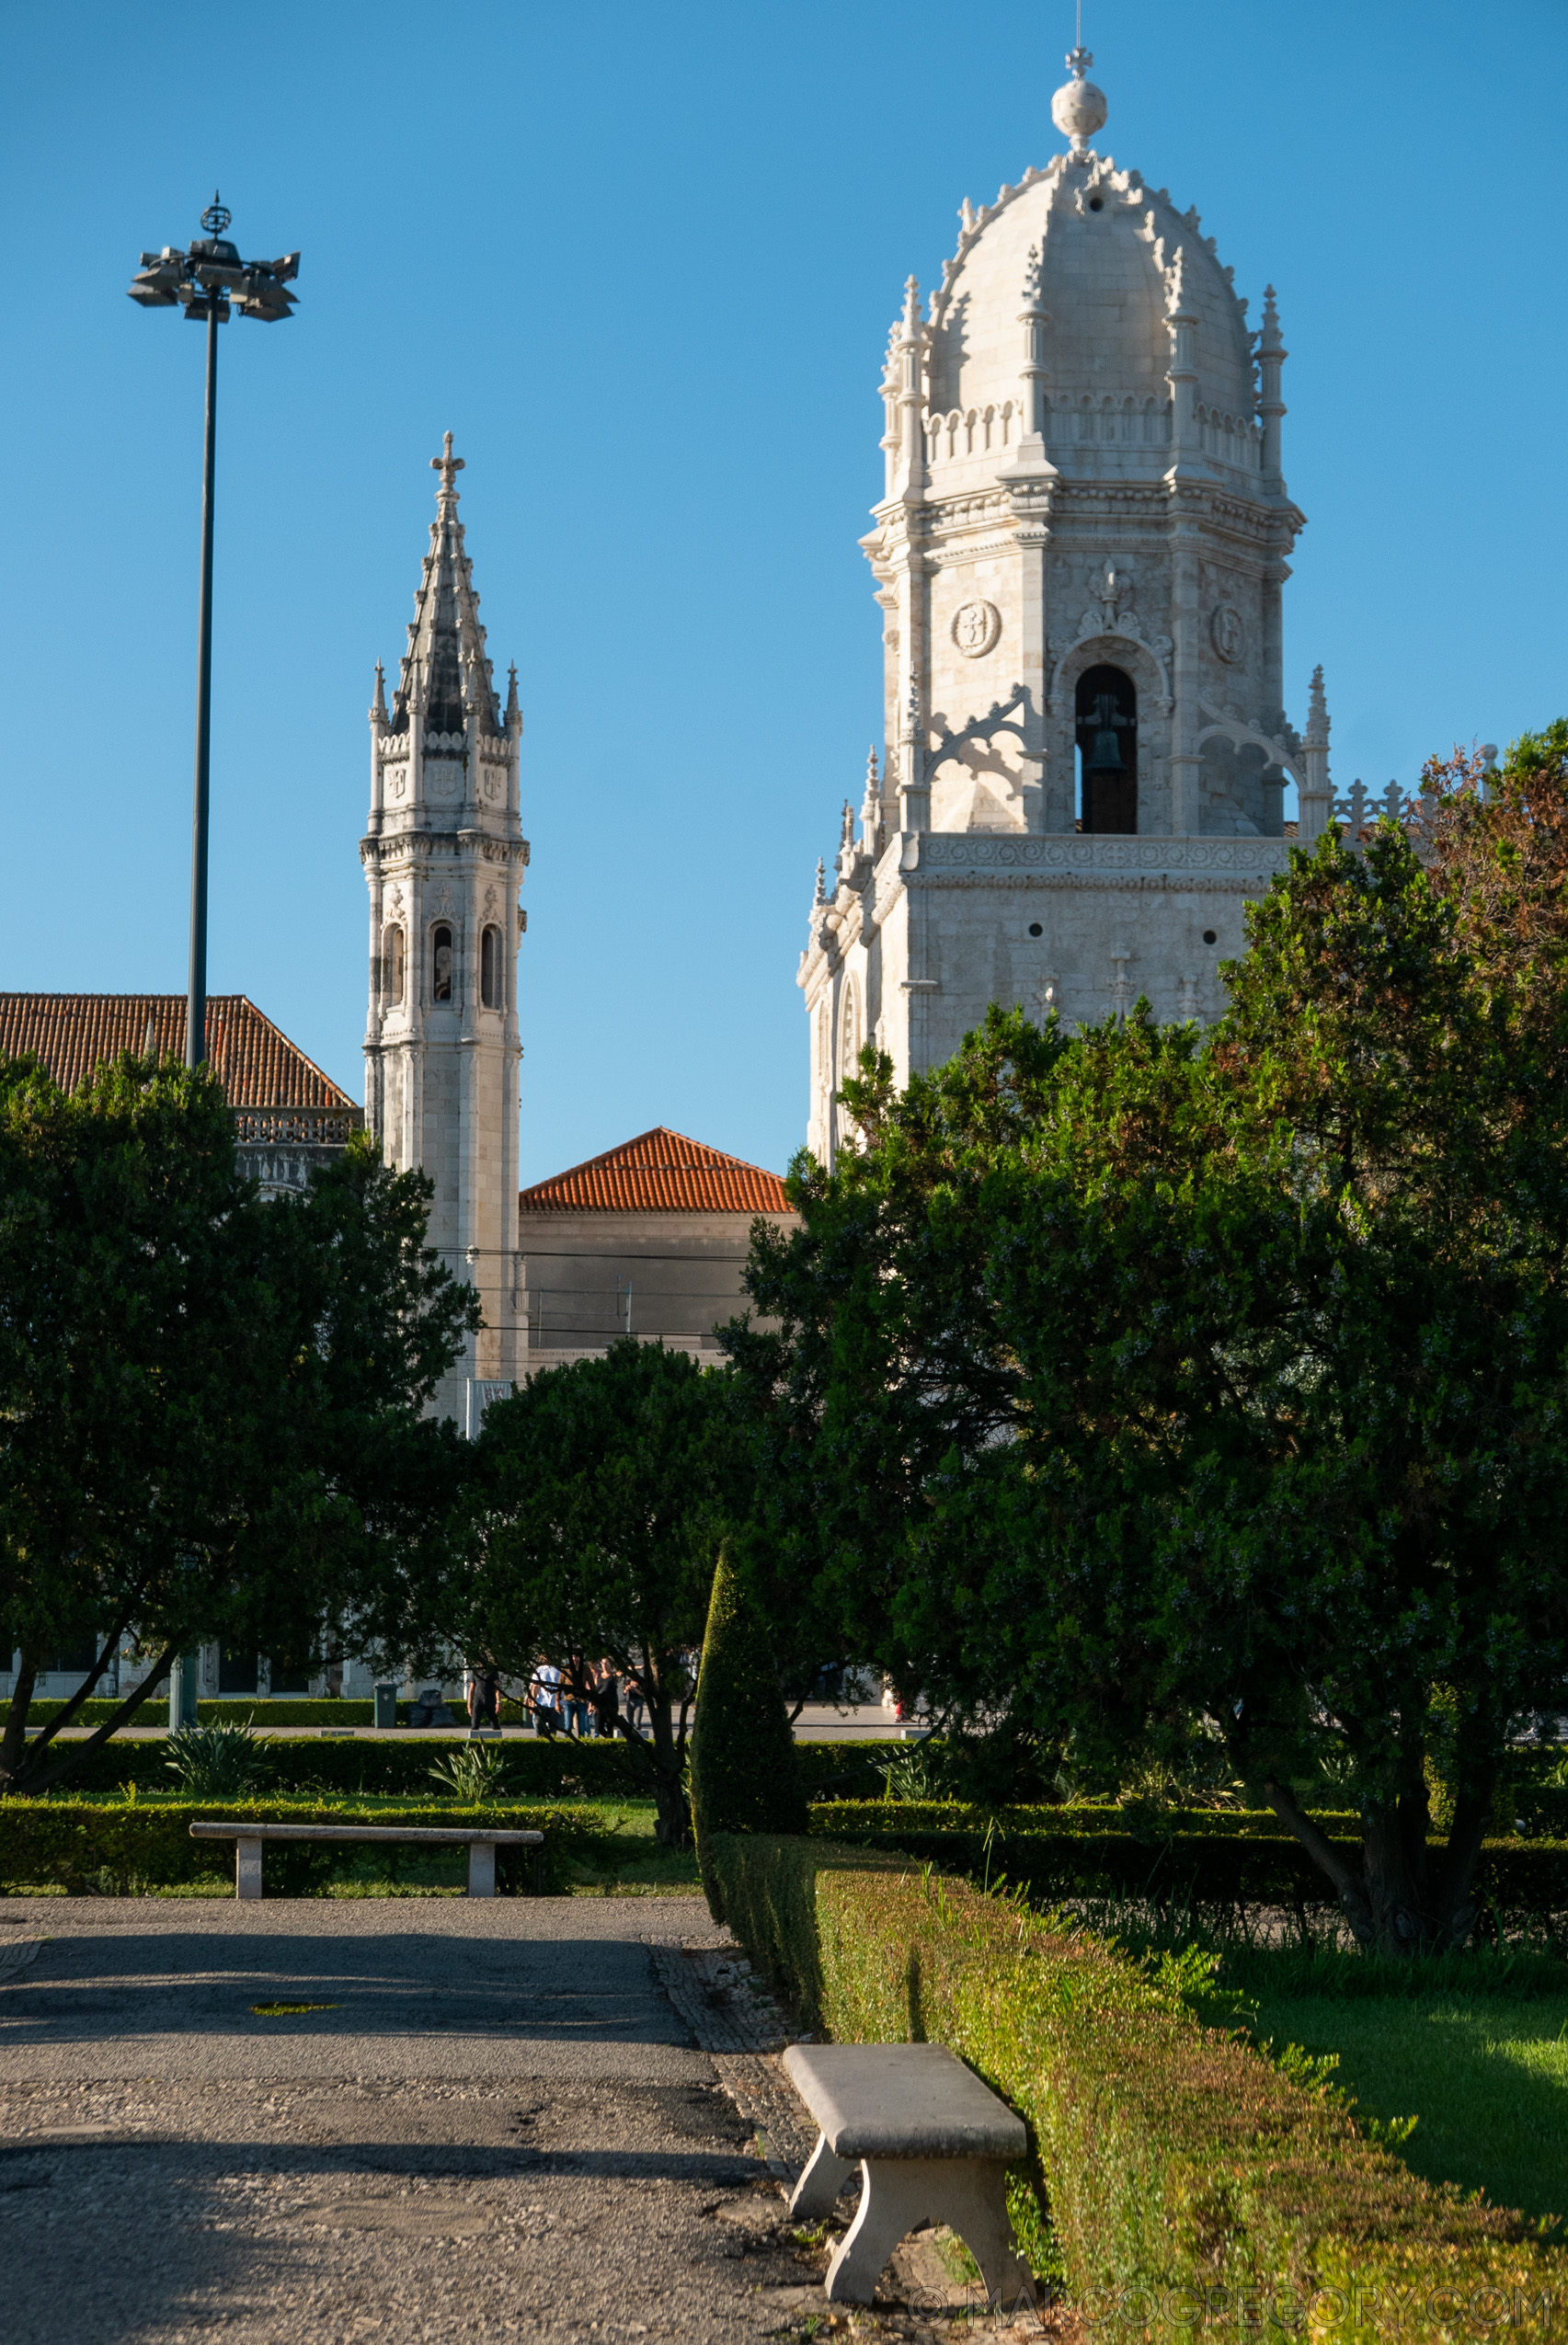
604 1493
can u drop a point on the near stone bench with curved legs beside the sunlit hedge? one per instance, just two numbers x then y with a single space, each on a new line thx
932 2145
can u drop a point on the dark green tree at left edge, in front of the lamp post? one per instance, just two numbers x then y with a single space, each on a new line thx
210 1406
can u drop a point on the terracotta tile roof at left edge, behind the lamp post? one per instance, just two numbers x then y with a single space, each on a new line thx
259 1066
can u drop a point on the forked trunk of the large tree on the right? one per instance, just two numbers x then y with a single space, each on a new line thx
1403 1898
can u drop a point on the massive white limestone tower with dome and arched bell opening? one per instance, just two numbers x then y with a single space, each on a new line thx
1079 555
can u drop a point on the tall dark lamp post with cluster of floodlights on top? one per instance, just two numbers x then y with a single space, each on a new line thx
207 280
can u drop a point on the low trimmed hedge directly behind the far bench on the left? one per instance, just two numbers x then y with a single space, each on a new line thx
125 1847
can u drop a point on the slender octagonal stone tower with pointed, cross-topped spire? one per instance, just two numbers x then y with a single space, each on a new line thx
444 859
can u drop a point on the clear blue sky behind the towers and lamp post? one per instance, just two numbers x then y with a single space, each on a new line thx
643 264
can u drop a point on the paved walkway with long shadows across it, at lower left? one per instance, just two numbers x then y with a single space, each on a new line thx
493 2126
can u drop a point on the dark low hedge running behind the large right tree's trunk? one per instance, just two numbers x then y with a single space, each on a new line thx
1229 1858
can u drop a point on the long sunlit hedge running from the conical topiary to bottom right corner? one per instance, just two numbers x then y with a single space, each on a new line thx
1187 2180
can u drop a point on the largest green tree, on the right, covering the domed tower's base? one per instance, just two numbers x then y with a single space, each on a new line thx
1229 1375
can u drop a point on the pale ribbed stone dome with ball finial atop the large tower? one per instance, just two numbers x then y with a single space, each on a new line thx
1112 264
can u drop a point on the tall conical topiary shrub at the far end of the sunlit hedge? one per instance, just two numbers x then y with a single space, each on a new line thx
744 1774
